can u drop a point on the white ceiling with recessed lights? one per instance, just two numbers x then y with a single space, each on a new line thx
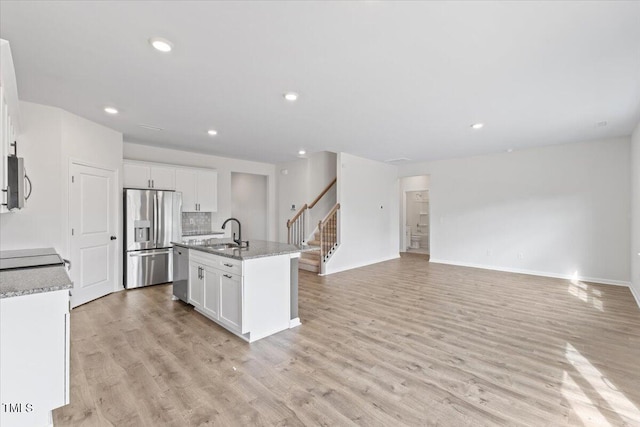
381 80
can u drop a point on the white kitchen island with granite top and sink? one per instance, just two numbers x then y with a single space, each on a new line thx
251 291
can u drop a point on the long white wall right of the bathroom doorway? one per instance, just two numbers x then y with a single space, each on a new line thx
555 211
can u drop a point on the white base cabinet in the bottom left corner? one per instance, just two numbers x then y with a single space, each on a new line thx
34 357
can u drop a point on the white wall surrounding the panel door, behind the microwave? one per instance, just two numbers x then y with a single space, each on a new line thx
50 139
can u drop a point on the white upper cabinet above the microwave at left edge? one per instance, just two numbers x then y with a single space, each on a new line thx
9 113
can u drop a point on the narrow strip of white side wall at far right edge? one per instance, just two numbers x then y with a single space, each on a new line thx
635 213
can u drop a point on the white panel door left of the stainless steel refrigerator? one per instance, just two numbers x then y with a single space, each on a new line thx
93 214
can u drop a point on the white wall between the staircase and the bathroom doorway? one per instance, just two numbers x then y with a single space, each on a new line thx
368 196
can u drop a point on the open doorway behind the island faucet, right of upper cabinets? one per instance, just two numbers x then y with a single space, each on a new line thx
249 204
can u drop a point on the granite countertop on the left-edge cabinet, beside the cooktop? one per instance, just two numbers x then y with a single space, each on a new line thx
27 281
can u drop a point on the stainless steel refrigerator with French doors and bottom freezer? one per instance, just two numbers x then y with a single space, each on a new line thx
152 220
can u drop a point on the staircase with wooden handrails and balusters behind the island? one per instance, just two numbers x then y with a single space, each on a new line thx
325 238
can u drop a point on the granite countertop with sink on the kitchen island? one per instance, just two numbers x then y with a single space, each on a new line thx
256 249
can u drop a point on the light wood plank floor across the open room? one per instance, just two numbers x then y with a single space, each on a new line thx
403 342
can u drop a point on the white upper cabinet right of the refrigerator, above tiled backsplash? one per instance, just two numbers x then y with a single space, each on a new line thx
199 189
